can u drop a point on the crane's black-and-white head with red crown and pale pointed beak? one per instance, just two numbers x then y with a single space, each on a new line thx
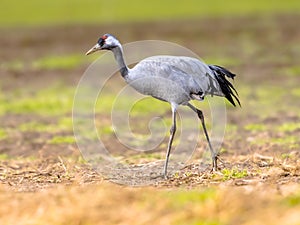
105 42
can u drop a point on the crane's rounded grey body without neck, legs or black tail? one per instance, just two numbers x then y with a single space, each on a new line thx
173 79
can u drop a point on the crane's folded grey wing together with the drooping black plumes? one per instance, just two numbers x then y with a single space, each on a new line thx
194 76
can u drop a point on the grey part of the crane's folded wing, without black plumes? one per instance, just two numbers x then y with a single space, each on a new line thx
190 73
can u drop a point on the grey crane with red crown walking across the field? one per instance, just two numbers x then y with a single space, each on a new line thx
176 80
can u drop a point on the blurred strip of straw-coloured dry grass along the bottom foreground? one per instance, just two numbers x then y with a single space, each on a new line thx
110 204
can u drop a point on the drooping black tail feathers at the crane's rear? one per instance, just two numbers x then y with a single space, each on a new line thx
227 88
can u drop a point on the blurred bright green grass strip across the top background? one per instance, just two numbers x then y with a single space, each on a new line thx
37 13
